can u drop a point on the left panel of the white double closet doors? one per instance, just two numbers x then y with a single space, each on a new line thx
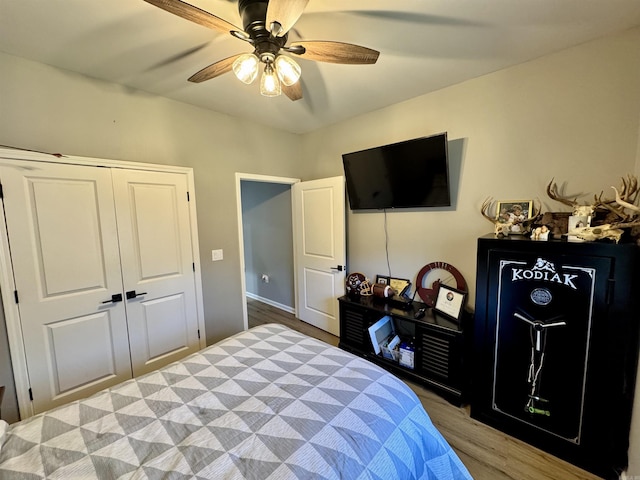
64 248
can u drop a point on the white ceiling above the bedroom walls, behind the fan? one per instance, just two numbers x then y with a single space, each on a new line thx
425 45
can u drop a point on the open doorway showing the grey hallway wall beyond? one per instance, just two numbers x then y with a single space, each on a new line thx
266 241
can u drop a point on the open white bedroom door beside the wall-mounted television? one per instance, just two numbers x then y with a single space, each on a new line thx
319 231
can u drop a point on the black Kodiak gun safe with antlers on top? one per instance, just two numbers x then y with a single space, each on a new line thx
556 346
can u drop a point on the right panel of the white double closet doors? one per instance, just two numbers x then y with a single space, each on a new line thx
158 271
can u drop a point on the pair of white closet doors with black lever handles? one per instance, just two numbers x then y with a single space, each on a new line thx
103 269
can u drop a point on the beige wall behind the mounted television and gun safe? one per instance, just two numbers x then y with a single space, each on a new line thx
574 116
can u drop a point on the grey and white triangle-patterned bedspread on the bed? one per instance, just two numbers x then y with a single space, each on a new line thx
268 403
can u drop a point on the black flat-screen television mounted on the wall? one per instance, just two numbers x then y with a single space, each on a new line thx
409 174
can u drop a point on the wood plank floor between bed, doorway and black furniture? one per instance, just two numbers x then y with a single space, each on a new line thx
487 453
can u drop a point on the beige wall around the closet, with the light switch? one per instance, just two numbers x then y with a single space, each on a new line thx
57 111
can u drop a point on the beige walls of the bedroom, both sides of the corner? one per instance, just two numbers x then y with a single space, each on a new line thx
574 115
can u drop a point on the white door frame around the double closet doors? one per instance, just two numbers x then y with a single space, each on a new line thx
7 284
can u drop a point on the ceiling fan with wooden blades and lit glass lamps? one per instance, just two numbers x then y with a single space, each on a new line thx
266 24
